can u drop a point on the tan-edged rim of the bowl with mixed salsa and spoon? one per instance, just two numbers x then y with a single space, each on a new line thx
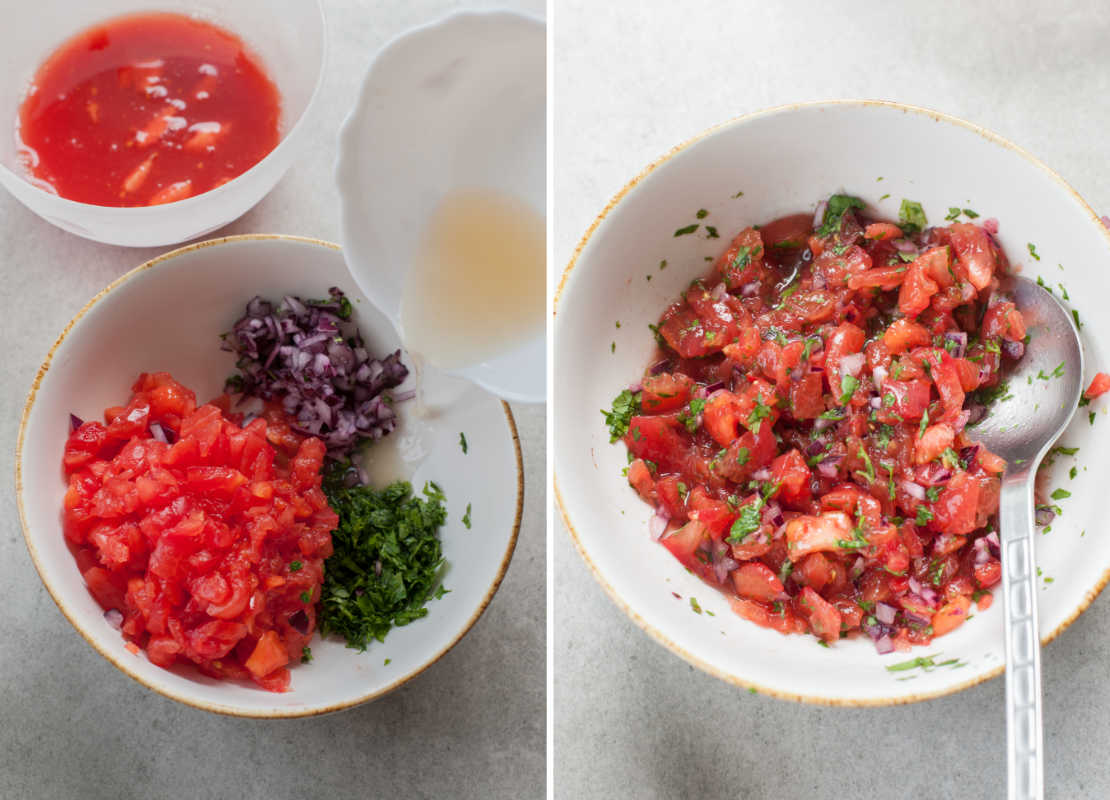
648 627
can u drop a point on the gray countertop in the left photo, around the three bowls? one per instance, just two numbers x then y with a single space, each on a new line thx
73 726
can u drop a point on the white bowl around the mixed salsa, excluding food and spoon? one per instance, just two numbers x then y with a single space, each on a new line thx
785 160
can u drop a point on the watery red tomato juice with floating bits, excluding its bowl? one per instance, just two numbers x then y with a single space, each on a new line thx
148 109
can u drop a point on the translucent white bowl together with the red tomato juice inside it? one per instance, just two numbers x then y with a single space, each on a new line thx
285 49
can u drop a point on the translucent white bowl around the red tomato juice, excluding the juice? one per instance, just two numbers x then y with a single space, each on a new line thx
288 36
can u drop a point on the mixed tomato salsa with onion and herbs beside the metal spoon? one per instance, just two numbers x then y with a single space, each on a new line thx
805 429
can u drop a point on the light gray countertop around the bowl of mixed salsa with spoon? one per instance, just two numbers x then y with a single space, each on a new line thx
632 721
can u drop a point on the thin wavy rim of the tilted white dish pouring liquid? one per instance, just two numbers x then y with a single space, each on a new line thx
348 145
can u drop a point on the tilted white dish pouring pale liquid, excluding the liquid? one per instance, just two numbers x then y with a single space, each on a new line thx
458 104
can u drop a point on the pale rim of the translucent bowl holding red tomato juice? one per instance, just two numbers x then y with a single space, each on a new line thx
137 212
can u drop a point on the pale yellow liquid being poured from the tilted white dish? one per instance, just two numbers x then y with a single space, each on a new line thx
477 287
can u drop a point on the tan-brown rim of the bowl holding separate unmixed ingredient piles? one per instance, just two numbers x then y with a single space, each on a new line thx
126 669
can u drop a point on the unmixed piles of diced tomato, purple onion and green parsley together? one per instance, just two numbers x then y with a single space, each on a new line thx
225 535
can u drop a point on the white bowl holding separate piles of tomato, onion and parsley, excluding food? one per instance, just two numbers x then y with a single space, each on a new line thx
168 315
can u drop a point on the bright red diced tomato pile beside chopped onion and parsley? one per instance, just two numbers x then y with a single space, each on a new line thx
205 538
